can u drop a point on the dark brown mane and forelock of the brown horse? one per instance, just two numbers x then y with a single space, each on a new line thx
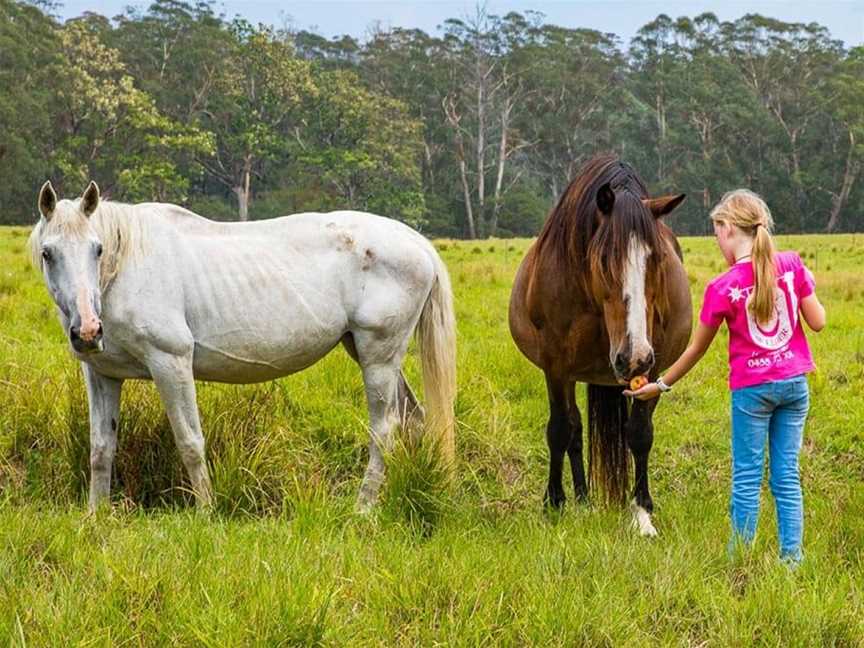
576 235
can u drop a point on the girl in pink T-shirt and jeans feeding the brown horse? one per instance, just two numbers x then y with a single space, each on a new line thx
759 298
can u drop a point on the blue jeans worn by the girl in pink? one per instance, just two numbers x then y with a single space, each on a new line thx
775 412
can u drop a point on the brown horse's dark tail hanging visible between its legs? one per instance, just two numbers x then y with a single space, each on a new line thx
608 457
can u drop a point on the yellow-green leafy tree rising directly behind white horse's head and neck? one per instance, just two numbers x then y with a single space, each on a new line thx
108 128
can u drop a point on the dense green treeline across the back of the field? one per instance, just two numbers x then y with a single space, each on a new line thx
471 132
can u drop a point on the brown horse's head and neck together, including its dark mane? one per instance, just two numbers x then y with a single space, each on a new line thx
607 240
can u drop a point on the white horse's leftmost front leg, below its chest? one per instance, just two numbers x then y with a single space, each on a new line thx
103 395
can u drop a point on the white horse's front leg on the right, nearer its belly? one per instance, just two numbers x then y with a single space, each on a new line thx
176 386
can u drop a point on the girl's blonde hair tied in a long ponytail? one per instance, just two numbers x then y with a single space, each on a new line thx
748 212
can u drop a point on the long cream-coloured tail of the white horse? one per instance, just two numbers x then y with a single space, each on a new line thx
437 336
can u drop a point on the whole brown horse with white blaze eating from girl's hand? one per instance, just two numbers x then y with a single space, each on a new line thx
602 297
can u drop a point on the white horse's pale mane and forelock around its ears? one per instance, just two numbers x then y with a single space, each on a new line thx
116 224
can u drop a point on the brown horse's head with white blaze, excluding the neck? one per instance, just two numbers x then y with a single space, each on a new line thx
625 257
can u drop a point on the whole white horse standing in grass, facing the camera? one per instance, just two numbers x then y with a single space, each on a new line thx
157 292
